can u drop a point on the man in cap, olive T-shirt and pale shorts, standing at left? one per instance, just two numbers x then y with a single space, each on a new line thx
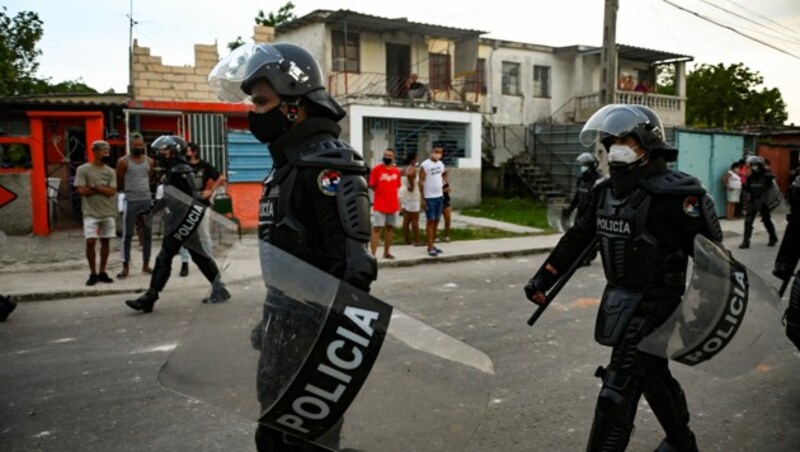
96 184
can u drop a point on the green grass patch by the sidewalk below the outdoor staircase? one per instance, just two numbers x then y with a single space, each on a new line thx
522 211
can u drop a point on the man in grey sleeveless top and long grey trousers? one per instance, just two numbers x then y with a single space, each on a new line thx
134 176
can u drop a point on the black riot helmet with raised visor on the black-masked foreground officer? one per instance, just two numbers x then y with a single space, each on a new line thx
290 70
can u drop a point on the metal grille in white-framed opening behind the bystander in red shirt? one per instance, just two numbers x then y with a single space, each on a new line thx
411 135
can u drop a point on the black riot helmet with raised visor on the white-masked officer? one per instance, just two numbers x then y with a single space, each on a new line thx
620 120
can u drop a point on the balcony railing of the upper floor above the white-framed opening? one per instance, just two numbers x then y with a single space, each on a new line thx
379 85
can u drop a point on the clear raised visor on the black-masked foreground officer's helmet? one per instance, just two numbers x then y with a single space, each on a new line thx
227 76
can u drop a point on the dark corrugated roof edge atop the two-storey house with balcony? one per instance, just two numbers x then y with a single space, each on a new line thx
367 22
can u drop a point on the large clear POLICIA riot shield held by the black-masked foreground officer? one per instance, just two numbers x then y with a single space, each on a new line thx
339 367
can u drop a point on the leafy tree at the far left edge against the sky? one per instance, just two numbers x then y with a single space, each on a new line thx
19 53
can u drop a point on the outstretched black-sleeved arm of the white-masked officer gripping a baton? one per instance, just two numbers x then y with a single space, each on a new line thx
565 254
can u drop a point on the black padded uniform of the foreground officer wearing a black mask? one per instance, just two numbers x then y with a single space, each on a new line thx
315 205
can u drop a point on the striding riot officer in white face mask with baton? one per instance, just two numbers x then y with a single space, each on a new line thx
645 218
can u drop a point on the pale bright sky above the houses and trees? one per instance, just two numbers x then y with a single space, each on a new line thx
88 39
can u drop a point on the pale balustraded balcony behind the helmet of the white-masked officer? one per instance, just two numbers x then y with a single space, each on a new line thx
671 109
